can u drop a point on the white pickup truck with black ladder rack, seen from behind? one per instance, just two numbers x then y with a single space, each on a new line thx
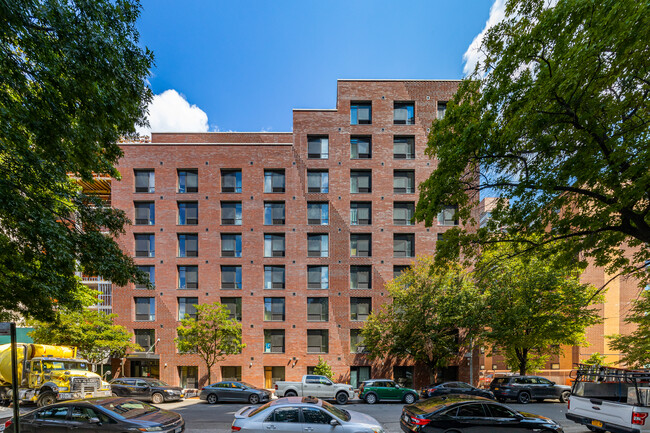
611 399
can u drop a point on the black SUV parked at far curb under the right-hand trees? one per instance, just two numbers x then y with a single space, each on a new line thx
523 389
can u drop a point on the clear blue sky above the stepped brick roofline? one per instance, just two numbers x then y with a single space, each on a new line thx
244 65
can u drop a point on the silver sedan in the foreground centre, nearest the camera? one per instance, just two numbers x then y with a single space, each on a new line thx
298 414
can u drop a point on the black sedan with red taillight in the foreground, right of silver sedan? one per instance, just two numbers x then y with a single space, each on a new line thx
460 414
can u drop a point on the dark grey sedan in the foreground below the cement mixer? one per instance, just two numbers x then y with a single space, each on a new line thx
110 414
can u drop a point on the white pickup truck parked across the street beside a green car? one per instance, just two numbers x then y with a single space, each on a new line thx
315 386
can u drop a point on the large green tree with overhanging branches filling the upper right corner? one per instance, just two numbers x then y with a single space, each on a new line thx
556 120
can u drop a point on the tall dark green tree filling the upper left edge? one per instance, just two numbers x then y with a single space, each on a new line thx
73 81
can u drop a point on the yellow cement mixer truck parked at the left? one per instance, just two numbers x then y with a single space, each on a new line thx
47 374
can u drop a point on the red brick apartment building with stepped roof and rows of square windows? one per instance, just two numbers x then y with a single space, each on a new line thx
296 232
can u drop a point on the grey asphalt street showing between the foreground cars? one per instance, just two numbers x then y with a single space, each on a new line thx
201 417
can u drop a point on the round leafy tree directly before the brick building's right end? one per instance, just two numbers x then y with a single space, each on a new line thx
432 316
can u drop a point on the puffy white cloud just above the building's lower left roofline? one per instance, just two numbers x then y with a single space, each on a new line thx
170 112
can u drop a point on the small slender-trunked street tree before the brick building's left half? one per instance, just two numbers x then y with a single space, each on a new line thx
212 335
